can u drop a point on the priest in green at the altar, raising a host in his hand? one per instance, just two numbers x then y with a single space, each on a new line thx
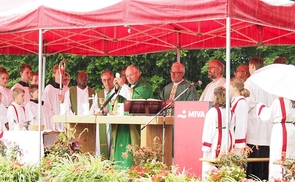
122 135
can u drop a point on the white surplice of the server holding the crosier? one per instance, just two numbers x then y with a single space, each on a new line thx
50 97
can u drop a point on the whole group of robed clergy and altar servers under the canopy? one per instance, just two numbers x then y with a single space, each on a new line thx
253 122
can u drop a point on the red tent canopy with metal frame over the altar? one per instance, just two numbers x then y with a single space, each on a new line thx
126 27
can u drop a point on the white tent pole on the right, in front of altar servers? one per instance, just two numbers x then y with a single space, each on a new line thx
227 71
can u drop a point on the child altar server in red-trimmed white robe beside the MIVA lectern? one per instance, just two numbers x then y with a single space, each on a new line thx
216 138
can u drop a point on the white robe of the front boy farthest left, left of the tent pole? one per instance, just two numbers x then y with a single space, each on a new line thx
15 115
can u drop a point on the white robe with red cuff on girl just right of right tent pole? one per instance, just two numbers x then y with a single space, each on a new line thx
240 108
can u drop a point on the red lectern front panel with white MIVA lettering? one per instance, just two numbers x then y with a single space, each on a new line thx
189 117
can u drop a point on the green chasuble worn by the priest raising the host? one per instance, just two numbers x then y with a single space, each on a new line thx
124 134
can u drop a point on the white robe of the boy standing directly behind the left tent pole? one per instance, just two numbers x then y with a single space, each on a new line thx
46 114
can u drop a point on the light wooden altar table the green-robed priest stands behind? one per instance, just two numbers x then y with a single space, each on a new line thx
155 128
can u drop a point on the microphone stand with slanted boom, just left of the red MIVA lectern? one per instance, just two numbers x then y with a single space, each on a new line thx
163 110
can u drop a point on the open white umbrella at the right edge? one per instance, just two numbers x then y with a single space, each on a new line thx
276 79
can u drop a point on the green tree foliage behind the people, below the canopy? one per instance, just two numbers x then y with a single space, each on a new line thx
155 67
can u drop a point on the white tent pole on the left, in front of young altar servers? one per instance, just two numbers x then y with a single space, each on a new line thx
39 90
